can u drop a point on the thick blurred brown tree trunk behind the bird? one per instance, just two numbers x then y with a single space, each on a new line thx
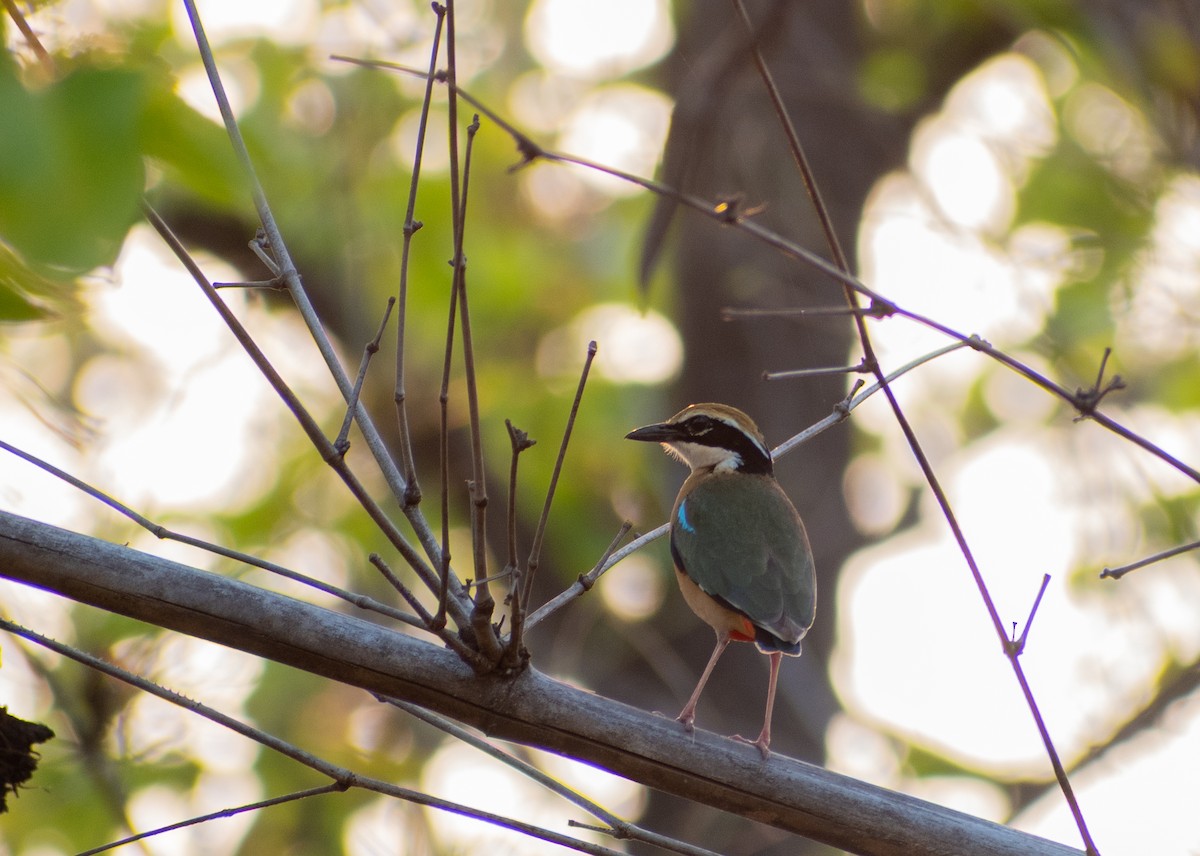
727 142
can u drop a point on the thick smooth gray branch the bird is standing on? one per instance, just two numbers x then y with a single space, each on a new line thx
531 709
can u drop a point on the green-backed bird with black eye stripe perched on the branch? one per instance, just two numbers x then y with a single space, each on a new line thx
741 554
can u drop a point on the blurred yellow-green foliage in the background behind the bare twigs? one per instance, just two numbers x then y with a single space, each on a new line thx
77 154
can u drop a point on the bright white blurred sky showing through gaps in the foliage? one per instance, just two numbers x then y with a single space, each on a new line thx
917 656
